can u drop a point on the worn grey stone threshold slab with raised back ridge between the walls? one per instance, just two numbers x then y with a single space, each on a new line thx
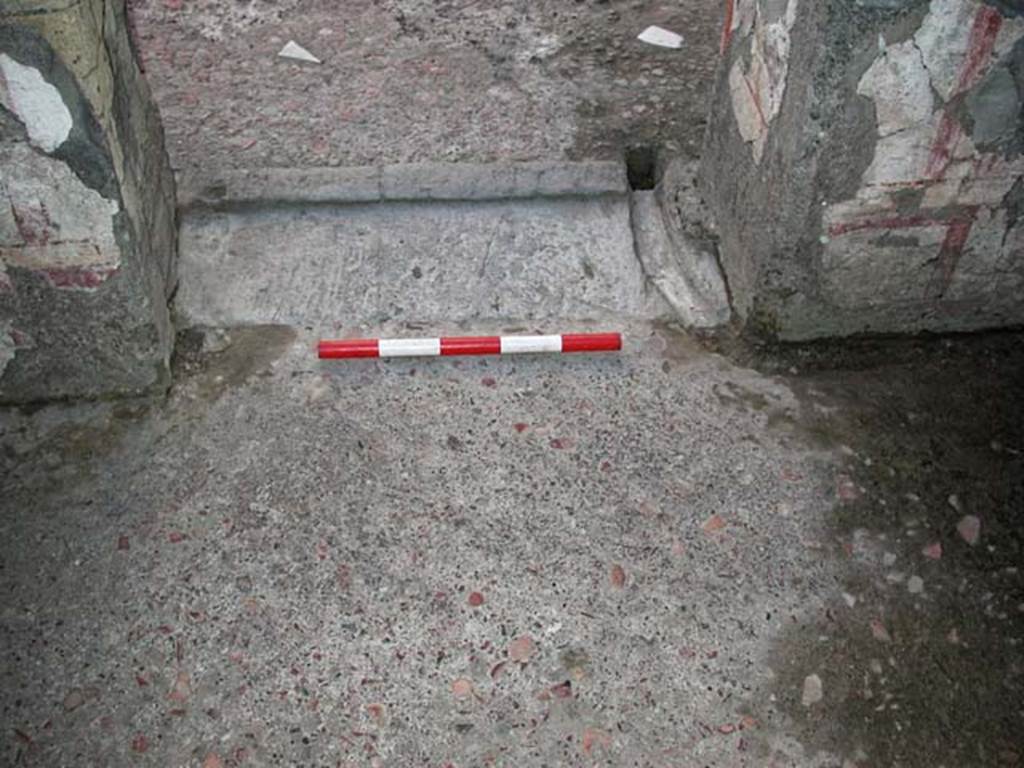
531 244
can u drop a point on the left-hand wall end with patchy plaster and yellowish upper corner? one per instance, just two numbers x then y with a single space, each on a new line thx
88 234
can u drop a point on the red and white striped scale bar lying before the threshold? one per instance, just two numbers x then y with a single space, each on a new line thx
452 346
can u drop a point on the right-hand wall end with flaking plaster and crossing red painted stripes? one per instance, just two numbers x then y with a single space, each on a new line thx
881 183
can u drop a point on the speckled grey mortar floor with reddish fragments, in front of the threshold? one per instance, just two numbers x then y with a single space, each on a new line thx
633 560
